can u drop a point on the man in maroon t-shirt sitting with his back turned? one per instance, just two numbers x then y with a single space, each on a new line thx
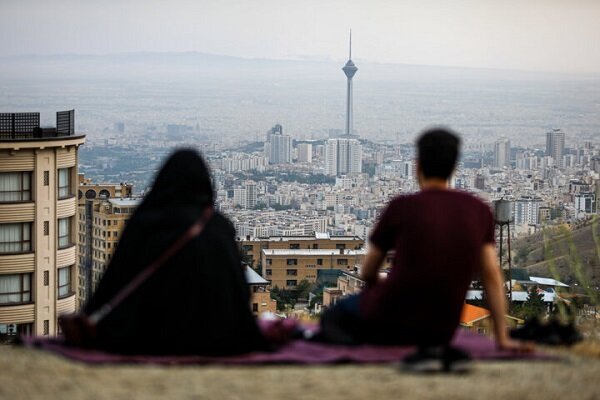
442 238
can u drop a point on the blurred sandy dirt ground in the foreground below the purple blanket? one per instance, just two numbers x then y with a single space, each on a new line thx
33 374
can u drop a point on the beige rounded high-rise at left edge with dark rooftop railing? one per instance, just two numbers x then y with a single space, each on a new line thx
38 204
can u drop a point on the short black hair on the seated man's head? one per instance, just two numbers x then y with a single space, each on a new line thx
438 151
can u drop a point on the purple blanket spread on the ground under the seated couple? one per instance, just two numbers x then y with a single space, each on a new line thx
294 352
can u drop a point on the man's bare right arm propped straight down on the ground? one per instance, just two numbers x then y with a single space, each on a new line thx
493 284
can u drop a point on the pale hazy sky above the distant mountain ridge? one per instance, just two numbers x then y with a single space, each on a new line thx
546 35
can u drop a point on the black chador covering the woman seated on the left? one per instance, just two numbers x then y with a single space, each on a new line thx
198 301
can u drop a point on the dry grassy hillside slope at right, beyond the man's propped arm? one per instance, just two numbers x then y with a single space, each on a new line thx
571 255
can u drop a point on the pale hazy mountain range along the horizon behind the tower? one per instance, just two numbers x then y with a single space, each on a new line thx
185 65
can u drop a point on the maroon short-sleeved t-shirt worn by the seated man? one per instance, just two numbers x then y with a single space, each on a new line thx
438 236
